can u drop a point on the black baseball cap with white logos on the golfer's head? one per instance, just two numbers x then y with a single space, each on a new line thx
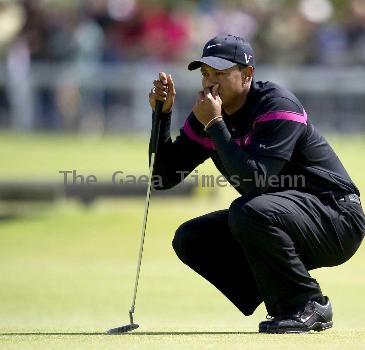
225 51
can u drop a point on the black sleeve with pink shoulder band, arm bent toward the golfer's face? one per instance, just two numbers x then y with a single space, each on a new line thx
272 142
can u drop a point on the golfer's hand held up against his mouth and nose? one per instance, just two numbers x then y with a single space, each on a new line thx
208 105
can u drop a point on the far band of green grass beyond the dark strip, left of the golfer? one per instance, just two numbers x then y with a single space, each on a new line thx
42 156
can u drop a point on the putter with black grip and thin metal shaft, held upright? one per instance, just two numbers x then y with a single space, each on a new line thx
154 142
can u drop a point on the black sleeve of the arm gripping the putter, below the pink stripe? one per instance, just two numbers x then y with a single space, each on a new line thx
175 160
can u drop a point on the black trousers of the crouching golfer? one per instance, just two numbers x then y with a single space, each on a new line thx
261 248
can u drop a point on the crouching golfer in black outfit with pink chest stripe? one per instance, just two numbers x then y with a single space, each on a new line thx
262 247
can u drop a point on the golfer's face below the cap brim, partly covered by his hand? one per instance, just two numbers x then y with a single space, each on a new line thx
230 81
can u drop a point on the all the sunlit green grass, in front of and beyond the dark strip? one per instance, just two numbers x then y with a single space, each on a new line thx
68 271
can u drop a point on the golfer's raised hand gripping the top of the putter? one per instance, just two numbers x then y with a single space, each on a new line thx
163 90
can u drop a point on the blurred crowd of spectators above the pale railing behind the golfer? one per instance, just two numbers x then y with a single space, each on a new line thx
282 31
